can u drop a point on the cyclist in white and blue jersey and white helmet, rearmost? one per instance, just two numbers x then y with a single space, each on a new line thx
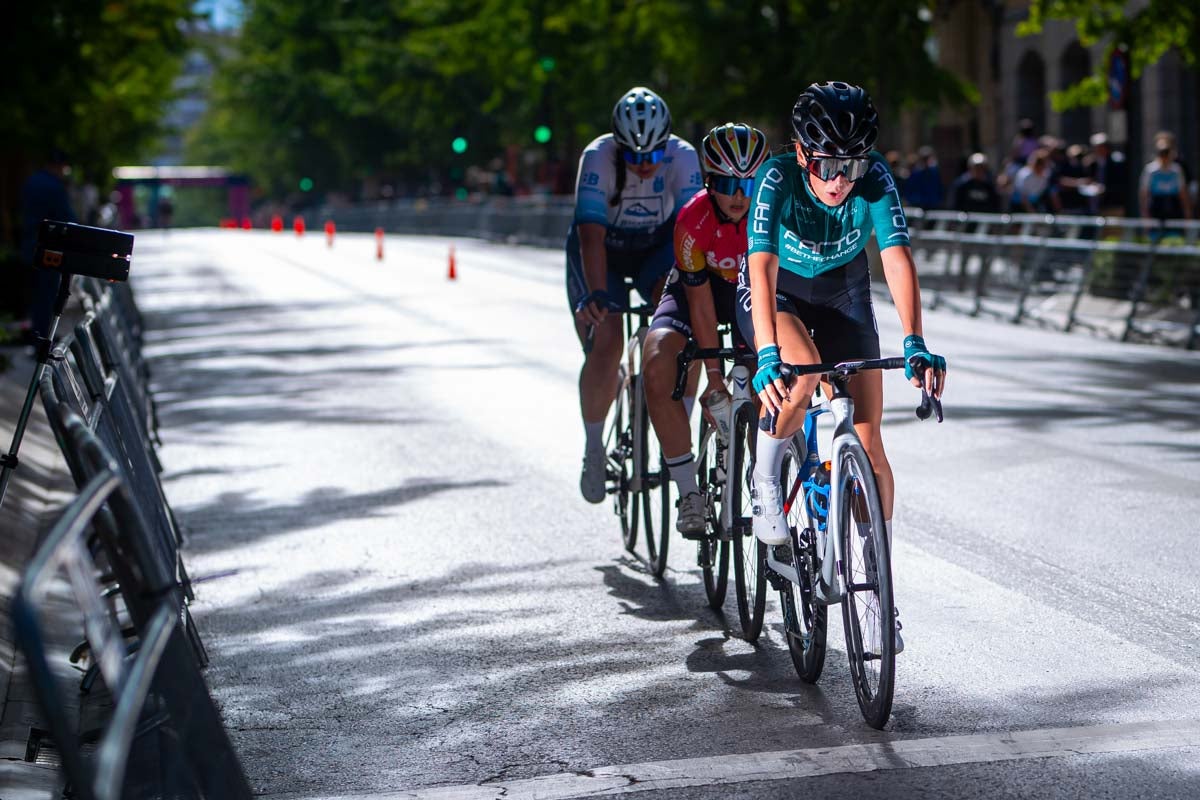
631 185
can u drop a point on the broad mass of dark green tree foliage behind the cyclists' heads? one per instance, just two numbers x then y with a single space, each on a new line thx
337 92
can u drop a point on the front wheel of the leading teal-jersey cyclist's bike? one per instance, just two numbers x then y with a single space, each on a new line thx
868 613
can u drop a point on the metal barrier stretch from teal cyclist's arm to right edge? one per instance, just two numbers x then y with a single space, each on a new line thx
1129 279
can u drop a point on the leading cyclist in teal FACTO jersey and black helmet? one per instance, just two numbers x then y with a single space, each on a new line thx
813 213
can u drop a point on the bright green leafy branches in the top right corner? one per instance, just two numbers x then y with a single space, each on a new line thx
1148 35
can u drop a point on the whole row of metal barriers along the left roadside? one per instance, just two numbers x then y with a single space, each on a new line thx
119 548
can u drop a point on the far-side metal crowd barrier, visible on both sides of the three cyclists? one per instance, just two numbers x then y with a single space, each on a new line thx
1129 279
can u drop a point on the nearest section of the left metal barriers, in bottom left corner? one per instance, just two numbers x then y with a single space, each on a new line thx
164 736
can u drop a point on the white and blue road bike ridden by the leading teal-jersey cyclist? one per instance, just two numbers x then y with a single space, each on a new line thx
839 550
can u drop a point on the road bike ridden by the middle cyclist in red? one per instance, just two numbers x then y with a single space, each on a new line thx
723 473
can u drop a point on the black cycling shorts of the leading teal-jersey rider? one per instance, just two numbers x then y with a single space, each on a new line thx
835 306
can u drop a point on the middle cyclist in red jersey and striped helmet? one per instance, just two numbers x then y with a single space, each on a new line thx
701 292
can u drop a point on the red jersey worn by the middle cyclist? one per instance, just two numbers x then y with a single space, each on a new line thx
705 243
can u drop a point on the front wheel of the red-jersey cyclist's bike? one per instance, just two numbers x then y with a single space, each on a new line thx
749 555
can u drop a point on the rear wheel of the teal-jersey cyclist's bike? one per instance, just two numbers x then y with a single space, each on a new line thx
806 622
